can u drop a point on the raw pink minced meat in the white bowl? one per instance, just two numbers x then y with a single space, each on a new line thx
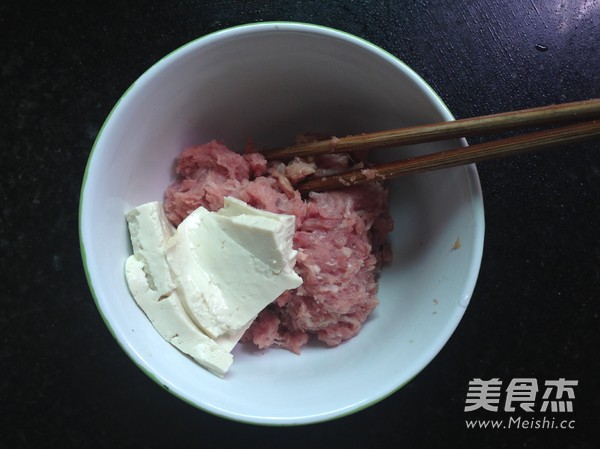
340 238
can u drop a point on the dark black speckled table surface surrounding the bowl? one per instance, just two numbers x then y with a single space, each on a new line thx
535 311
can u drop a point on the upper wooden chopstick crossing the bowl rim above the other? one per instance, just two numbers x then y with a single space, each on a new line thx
547 115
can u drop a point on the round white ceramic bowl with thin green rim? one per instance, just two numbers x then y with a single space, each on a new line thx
270 82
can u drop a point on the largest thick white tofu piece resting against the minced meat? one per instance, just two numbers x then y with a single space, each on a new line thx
229 265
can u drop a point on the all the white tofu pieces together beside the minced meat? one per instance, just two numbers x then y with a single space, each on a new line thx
202 284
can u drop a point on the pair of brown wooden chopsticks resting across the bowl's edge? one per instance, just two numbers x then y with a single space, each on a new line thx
584 117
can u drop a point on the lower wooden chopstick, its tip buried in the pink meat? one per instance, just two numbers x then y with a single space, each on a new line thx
535 141
